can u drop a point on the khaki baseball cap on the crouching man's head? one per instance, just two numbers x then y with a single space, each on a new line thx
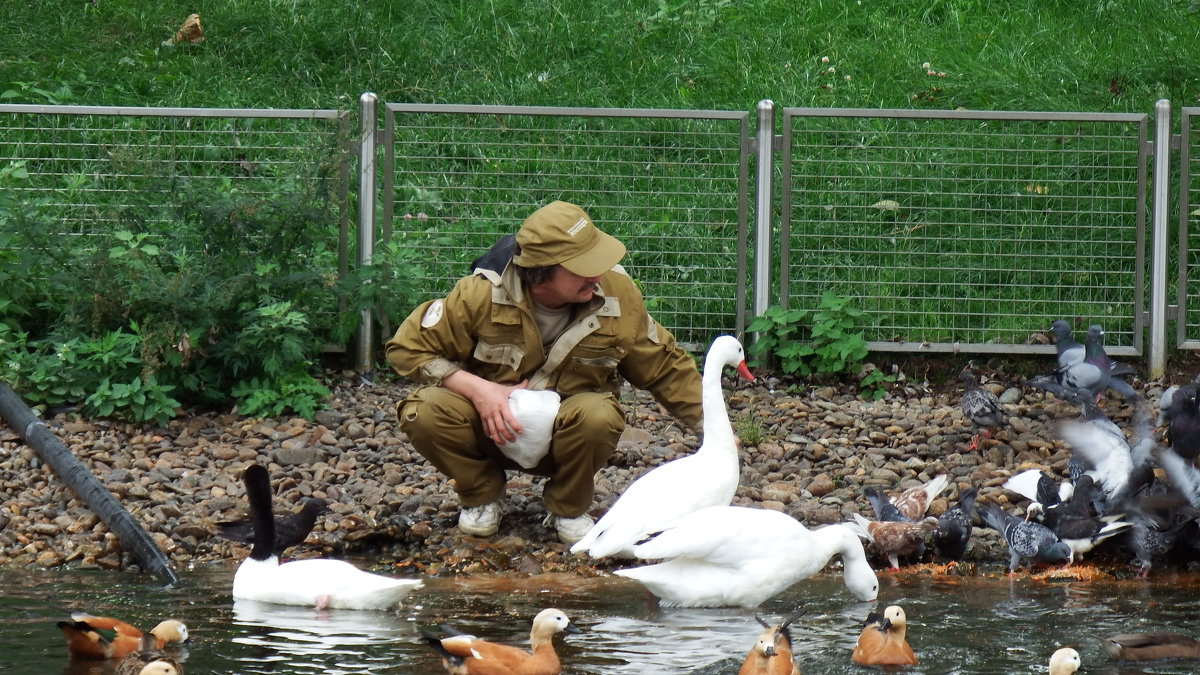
562 234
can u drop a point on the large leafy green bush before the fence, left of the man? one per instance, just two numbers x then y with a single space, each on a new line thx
231 300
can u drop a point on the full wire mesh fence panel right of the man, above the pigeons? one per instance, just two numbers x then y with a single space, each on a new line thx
964 230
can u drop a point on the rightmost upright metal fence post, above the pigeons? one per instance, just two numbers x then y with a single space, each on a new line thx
1157 351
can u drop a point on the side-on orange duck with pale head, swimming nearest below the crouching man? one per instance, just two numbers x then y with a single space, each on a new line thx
467 655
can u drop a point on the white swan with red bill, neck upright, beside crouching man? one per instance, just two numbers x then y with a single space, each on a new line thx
707 477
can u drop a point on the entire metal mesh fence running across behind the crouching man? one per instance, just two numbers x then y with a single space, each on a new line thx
956 231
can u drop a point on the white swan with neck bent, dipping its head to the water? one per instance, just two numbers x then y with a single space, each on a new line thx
740 557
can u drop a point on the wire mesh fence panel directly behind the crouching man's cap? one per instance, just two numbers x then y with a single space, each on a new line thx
670 184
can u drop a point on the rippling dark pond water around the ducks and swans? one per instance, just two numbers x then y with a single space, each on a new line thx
957 625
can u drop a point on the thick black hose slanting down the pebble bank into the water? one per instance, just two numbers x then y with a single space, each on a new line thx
94 494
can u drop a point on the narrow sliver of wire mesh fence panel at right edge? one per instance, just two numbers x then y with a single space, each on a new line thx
1189 255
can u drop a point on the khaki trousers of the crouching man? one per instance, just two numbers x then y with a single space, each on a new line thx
446 429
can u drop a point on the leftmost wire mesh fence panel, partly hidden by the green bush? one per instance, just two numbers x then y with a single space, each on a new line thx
199 183
